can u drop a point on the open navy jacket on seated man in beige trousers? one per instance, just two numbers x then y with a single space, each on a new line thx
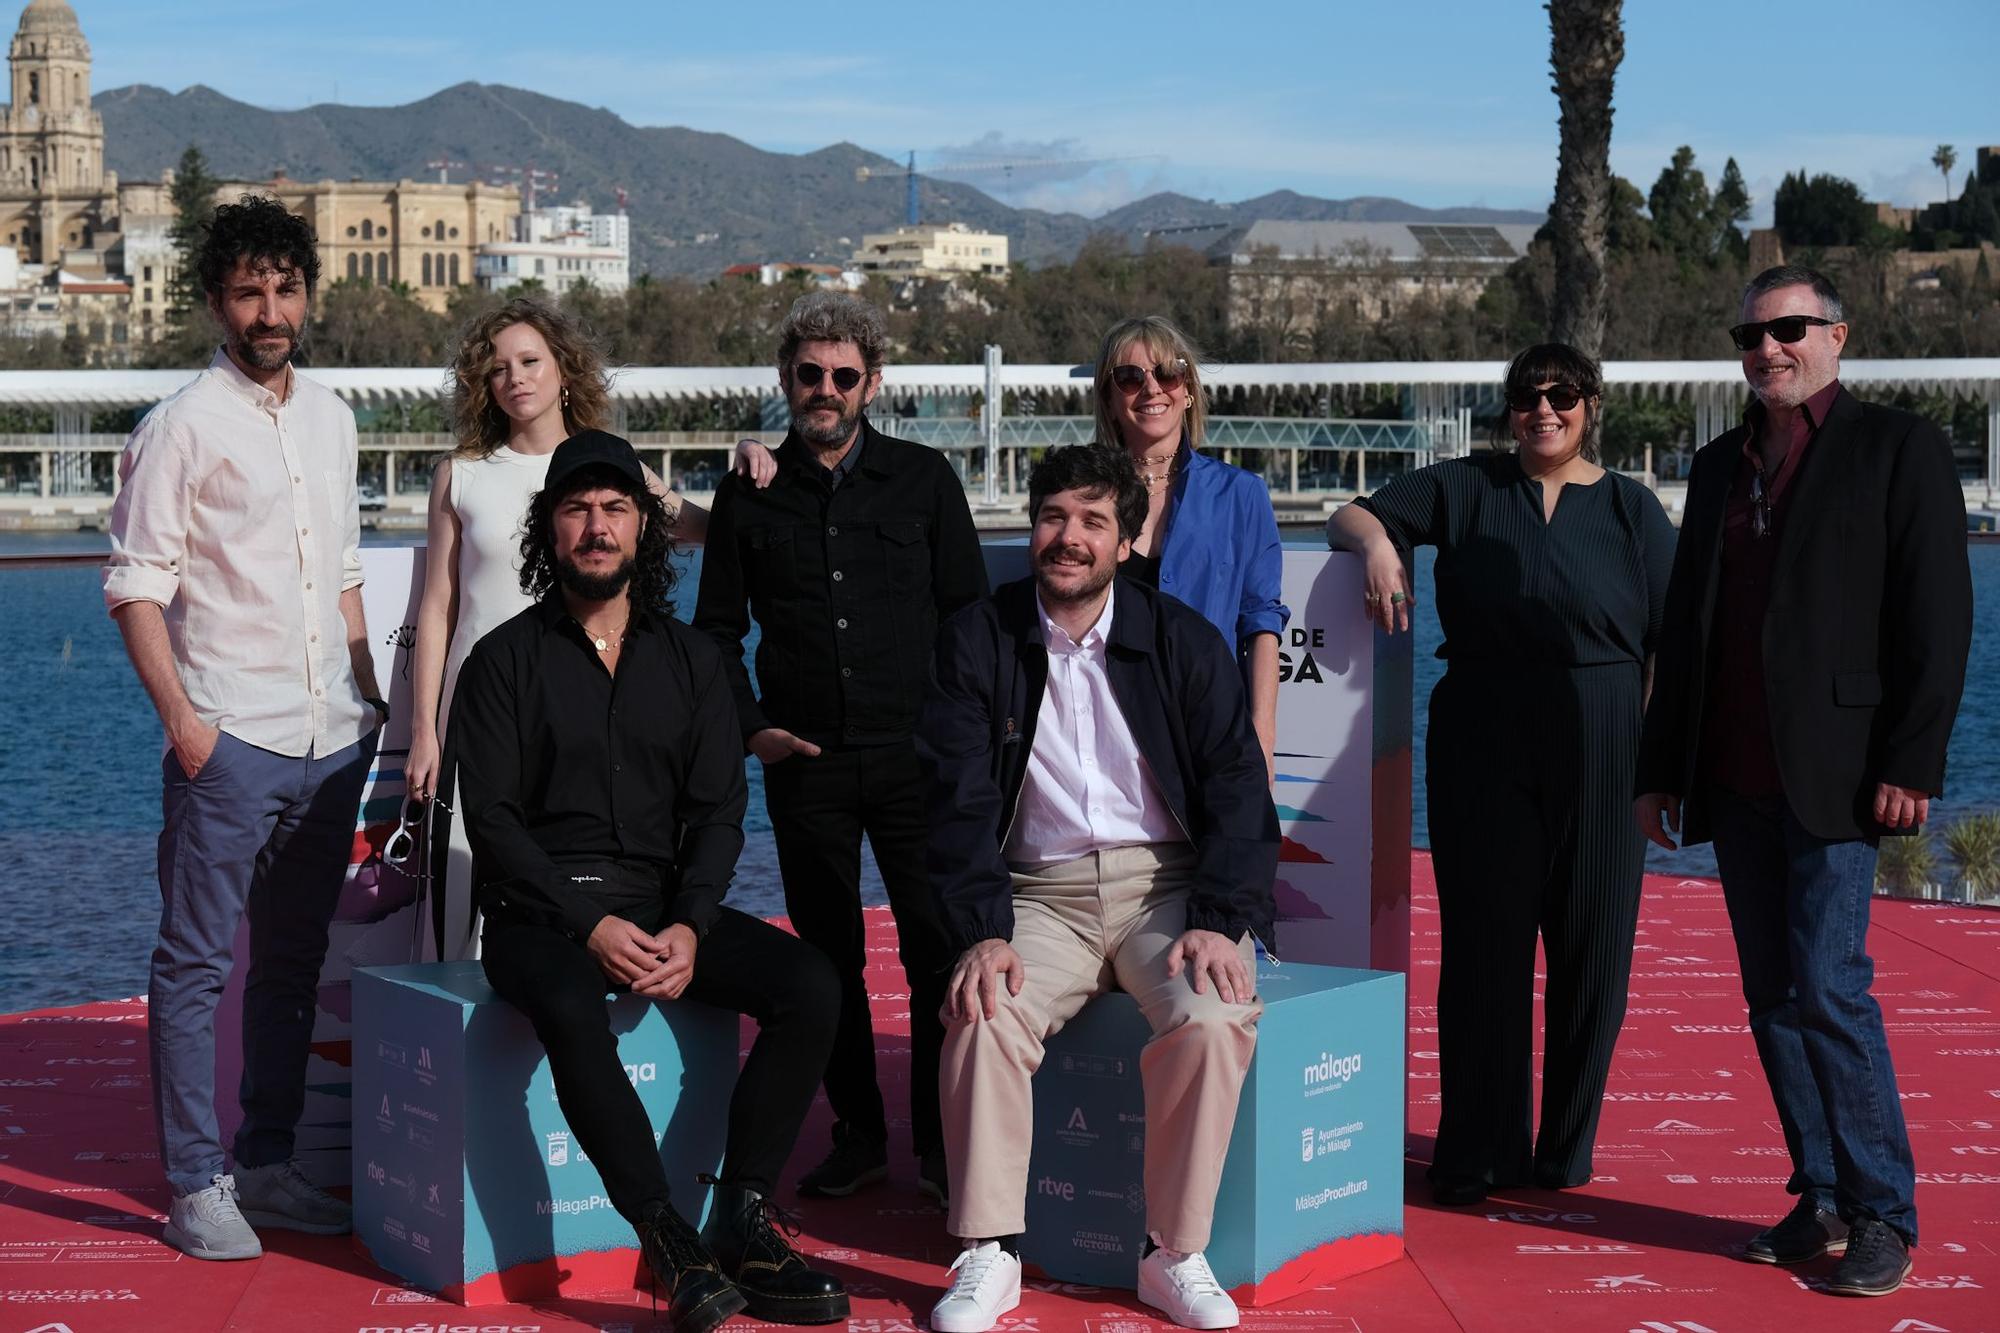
1183 698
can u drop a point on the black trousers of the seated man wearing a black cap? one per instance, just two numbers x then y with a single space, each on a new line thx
745 966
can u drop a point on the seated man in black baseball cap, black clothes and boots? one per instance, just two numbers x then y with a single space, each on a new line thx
603 786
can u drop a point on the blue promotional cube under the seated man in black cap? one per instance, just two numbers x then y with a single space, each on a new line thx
467 1178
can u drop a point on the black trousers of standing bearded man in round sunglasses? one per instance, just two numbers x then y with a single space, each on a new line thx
819 812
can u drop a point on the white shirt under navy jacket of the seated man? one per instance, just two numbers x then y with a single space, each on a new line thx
1087 786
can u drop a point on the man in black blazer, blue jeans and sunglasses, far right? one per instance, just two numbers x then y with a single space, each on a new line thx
1809 674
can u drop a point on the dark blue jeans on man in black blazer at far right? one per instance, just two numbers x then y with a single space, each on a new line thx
1799 908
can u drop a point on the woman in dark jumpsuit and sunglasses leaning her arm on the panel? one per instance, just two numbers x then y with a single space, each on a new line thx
1551 585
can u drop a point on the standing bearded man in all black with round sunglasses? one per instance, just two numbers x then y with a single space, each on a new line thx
847 561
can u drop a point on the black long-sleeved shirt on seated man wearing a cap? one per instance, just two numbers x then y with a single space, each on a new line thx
563 764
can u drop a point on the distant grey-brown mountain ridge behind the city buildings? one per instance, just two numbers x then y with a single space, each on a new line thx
699 201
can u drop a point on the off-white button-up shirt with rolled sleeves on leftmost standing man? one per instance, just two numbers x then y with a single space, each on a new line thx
237 515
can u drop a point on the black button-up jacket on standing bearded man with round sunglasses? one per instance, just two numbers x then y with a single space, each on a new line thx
847 583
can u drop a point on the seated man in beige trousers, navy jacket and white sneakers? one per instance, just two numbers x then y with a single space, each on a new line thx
1101 818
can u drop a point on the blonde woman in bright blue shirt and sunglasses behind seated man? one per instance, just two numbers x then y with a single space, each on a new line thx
1211 537
